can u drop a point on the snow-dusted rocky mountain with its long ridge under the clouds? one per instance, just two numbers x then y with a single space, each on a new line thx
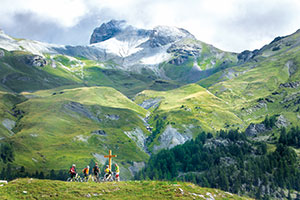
164 52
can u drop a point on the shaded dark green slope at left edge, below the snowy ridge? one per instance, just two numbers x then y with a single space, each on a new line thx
17 75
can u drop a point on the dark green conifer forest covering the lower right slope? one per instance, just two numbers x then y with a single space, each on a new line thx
232 162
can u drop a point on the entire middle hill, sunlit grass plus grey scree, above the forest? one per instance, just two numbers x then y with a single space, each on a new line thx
182 113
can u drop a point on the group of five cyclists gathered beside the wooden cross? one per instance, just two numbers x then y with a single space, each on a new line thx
96 172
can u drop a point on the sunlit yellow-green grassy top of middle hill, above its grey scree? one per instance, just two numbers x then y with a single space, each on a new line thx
188 104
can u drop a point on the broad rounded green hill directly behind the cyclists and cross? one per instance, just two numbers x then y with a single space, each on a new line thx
57 127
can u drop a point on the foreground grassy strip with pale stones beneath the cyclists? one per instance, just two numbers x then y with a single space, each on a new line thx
46 189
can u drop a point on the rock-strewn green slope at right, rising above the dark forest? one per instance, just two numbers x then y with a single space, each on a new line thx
253 89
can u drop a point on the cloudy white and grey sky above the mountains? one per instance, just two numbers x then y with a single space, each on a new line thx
232 25
